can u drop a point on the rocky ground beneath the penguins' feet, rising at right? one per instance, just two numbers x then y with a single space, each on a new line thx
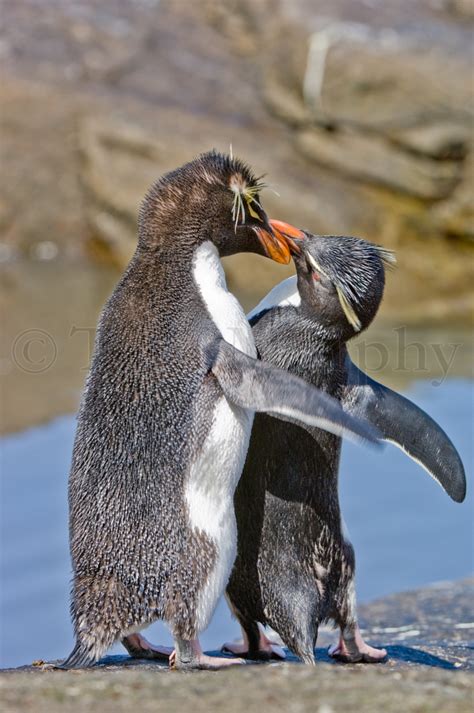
428 634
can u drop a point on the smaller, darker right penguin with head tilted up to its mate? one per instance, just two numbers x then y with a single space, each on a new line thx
295 565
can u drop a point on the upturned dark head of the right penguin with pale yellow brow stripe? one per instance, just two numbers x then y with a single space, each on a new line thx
341 279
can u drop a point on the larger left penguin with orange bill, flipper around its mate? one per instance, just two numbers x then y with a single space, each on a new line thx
166 418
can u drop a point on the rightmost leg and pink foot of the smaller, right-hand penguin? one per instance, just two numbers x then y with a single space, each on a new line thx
351 647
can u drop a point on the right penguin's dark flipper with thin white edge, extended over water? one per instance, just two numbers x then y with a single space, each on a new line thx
407 426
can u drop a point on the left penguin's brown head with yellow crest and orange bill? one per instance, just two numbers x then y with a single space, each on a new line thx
215 197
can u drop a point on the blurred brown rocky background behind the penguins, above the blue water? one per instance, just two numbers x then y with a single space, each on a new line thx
359 112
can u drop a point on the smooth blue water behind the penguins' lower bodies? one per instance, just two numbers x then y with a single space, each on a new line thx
405 530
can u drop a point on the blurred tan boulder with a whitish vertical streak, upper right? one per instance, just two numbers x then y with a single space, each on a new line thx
353 69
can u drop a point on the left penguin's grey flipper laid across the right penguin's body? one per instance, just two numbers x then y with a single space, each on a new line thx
256 385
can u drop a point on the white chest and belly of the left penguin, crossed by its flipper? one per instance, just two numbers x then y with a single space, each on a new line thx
213 477
